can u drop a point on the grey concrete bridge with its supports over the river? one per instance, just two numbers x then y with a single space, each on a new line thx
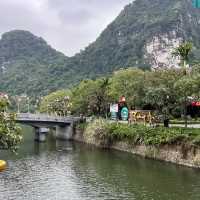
64 126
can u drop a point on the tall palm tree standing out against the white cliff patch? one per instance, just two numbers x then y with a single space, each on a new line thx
183 51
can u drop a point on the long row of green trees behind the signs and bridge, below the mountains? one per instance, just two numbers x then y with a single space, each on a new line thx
162 90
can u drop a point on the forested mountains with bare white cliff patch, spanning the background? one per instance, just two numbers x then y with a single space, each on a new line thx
143 35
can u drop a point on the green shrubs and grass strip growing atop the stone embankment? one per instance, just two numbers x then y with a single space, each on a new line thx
105 133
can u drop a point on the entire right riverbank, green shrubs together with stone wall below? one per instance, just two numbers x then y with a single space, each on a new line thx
176 145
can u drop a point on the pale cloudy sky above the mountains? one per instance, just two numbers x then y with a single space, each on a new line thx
67 25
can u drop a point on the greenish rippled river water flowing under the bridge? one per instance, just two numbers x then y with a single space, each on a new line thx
70 171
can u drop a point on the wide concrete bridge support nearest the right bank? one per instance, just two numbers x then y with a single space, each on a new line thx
65 132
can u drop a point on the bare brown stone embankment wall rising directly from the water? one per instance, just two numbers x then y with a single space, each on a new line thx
181 154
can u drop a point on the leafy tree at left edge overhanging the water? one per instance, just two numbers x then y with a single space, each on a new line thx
10 132
